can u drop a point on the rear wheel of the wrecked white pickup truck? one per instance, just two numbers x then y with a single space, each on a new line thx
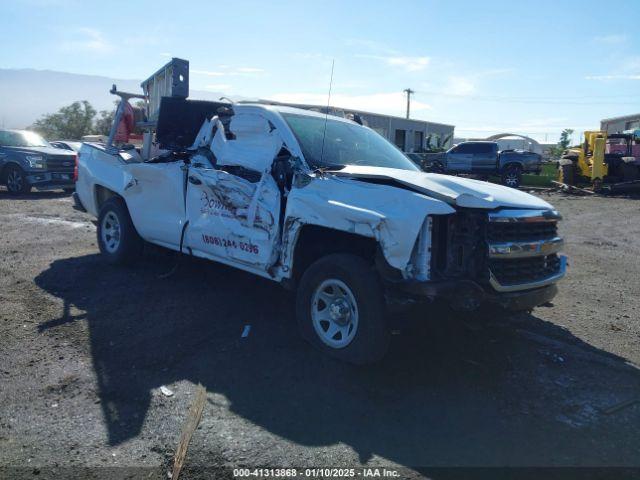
118 239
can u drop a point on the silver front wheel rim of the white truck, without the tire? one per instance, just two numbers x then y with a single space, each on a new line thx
334 313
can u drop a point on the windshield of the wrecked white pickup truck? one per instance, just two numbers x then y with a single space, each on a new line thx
344 144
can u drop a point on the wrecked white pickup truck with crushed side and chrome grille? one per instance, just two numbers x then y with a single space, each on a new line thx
331 209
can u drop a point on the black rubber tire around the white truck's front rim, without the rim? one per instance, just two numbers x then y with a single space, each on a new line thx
370 339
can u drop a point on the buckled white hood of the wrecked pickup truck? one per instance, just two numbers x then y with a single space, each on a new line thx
461 192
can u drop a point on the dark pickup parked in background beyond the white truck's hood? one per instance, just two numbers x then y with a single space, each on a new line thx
484 158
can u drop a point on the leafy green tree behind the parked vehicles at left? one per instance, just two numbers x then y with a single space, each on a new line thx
70 122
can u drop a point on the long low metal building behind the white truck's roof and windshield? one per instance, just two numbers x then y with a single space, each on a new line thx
409 135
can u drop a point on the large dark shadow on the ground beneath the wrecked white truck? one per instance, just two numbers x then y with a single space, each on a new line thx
452 391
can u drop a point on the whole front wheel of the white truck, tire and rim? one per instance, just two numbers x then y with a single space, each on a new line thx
341 311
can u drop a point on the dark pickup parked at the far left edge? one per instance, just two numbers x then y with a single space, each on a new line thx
27 160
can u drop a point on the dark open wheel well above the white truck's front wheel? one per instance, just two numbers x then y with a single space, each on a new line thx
315 242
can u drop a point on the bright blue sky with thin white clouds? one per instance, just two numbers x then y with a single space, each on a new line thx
532 68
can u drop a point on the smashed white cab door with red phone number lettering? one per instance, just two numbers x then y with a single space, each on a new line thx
233 208
